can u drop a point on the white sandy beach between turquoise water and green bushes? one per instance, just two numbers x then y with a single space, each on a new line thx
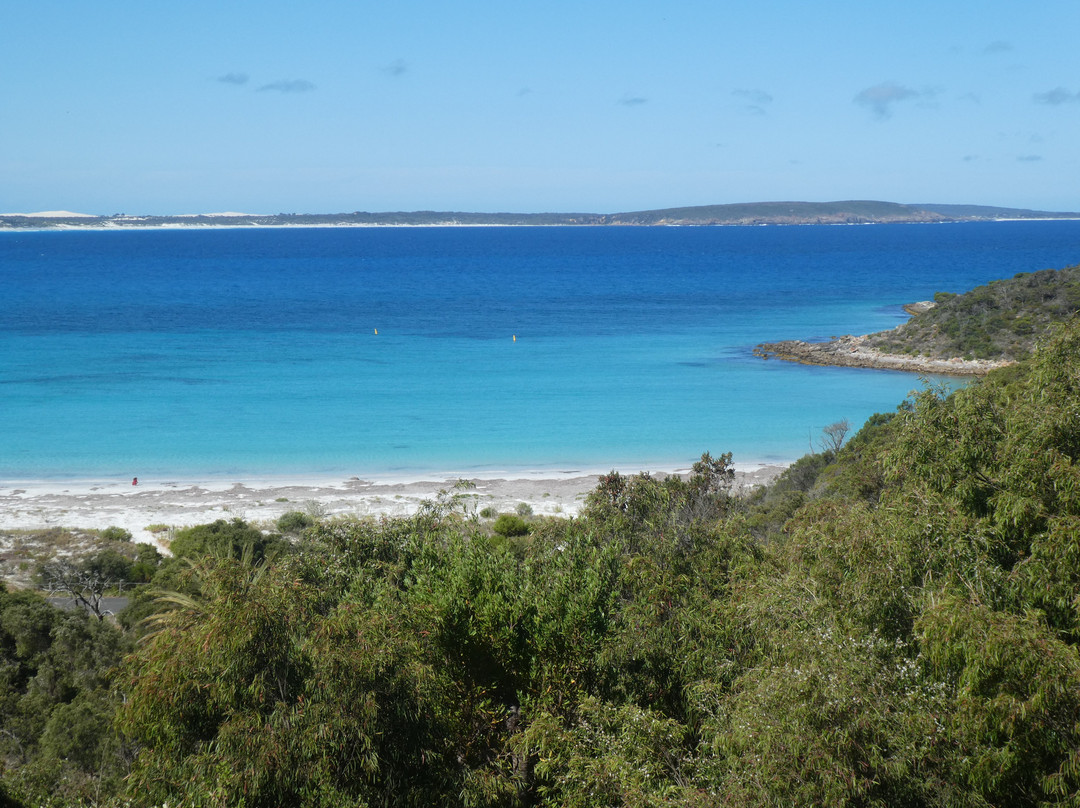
103 504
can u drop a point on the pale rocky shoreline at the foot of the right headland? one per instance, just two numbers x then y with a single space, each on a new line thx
854 352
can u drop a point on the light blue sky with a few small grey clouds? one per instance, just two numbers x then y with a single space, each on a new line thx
602 107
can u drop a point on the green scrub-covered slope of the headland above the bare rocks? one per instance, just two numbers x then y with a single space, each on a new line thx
1002 320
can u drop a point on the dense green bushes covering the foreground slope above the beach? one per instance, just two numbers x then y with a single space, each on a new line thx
896 622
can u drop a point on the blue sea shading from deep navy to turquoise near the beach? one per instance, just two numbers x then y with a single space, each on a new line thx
249 353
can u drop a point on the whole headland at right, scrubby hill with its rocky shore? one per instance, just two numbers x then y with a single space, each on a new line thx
991 327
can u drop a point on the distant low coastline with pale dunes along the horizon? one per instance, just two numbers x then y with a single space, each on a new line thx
741 214
